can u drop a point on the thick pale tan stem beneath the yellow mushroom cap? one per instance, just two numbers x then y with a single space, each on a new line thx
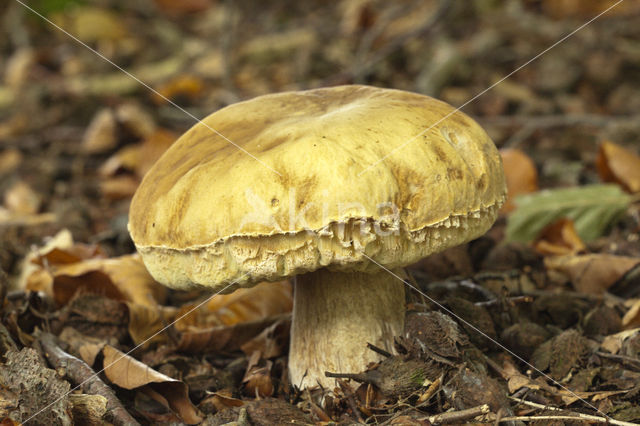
335 315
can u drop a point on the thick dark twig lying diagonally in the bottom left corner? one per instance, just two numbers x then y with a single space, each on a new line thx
79 372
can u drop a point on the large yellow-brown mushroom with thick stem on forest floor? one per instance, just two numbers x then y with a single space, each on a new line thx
324 186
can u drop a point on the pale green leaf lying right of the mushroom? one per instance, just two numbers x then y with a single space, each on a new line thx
592 207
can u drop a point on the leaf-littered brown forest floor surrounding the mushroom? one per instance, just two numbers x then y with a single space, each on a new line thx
536 322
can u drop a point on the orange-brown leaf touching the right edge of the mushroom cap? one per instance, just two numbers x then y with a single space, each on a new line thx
520 173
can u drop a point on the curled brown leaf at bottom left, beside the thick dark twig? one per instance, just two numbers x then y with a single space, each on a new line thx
129 373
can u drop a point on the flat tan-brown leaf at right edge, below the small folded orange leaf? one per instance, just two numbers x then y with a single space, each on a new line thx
591 273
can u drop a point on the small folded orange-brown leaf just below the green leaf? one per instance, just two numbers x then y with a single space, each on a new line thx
559 238
